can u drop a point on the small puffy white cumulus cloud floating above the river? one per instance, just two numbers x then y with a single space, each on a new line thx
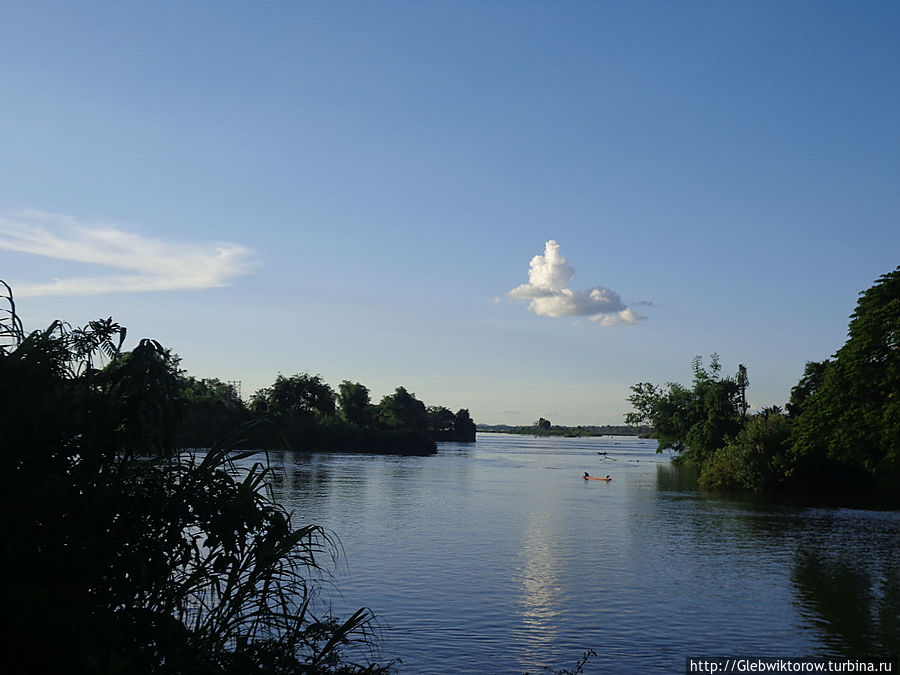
549 295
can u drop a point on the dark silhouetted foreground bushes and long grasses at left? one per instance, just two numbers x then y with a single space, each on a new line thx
119 553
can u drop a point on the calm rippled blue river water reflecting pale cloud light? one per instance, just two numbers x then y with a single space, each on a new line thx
498 557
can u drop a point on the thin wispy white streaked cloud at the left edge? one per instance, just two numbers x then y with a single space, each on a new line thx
141 263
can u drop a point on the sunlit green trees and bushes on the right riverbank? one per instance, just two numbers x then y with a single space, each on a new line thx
840 430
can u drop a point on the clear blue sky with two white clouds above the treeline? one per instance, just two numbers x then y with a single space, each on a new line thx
356 189
